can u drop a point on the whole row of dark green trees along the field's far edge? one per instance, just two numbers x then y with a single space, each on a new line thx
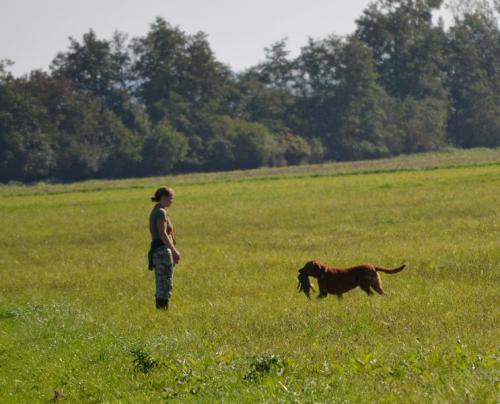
163 103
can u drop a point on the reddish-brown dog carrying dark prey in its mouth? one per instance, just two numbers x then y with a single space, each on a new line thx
337 281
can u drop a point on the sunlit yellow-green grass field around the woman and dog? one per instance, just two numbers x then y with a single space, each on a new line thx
77 308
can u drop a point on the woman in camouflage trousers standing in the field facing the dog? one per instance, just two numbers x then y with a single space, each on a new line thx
163 254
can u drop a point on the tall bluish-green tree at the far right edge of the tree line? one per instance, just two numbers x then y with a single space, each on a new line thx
474 80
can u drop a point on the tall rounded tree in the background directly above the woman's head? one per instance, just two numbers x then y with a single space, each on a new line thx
178 77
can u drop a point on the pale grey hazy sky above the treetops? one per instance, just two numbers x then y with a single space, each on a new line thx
33 31
